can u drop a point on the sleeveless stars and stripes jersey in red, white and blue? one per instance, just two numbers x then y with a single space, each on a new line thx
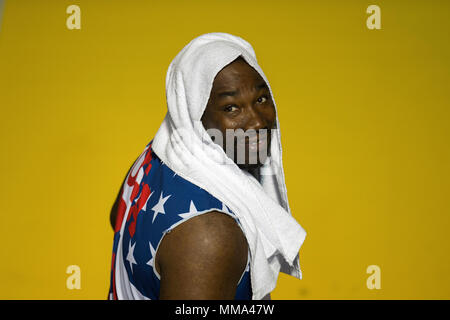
153 201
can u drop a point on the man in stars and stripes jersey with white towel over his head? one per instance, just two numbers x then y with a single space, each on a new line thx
203 252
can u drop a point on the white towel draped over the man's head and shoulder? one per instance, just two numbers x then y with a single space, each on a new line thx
182 143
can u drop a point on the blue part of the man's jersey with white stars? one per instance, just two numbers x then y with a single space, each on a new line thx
169 201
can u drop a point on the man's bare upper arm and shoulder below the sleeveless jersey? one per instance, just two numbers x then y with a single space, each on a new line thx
202 258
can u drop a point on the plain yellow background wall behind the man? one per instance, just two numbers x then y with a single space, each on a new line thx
364 121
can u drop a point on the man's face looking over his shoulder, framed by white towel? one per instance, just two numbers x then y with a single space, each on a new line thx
240 99
